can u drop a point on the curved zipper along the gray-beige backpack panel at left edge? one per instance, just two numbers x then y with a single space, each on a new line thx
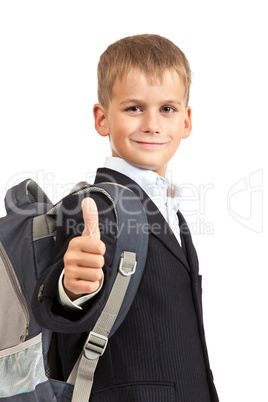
17 288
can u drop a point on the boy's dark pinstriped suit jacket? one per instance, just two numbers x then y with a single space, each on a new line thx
159 352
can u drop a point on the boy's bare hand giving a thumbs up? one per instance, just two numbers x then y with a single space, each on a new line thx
84 257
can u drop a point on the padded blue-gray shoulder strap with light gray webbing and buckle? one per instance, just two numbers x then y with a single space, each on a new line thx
131 253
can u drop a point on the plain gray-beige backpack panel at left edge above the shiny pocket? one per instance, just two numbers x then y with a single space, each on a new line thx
15 318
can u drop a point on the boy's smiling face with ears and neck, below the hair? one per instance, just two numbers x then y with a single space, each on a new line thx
145 120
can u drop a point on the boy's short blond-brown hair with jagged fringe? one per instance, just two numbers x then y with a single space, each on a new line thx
151 54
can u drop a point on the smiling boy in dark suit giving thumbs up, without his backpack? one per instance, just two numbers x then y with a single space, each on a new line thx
159 351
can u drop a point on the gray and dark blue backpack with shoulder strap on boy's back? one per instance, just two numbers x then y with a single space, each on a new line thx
27 236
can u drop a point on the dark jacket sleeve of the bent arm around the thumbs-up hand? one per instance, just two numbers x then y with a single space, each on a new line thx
47 310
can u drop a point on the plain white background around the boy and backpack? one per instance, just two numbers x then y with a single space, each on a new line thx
49 52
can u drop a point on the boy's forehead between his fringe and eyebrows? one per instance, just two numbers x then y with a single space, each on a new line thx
136 82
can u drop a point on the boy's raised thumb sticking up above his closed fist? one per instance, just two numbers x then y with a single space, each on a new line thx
91 218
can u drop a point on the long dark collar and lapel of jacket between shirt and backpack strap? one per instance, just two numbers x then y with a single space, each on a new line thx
157 224
